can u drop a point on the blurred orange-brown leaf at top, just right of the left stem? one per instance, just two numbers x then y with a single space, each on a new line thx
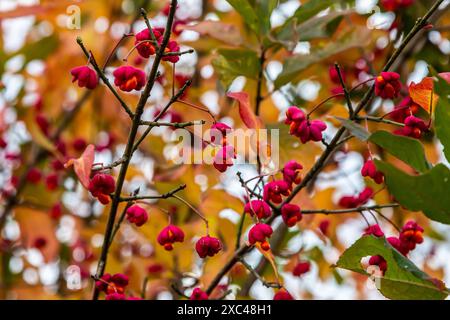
224 32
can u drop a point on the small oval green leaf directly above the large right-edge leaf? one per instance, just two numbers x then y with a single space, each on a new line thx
406 149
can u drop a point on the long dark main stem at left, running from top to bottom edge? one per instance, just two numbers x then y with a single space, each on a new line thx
129 146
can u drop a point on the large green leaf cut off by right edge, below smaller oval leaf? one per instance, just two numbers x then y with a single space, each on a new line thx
427 192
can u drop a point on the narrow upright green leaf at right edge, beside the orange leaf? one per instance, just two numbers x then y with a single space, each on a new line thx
442 115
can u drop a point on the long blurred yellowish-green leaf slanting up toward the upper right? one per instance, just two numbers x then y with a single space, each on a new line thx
357 37
